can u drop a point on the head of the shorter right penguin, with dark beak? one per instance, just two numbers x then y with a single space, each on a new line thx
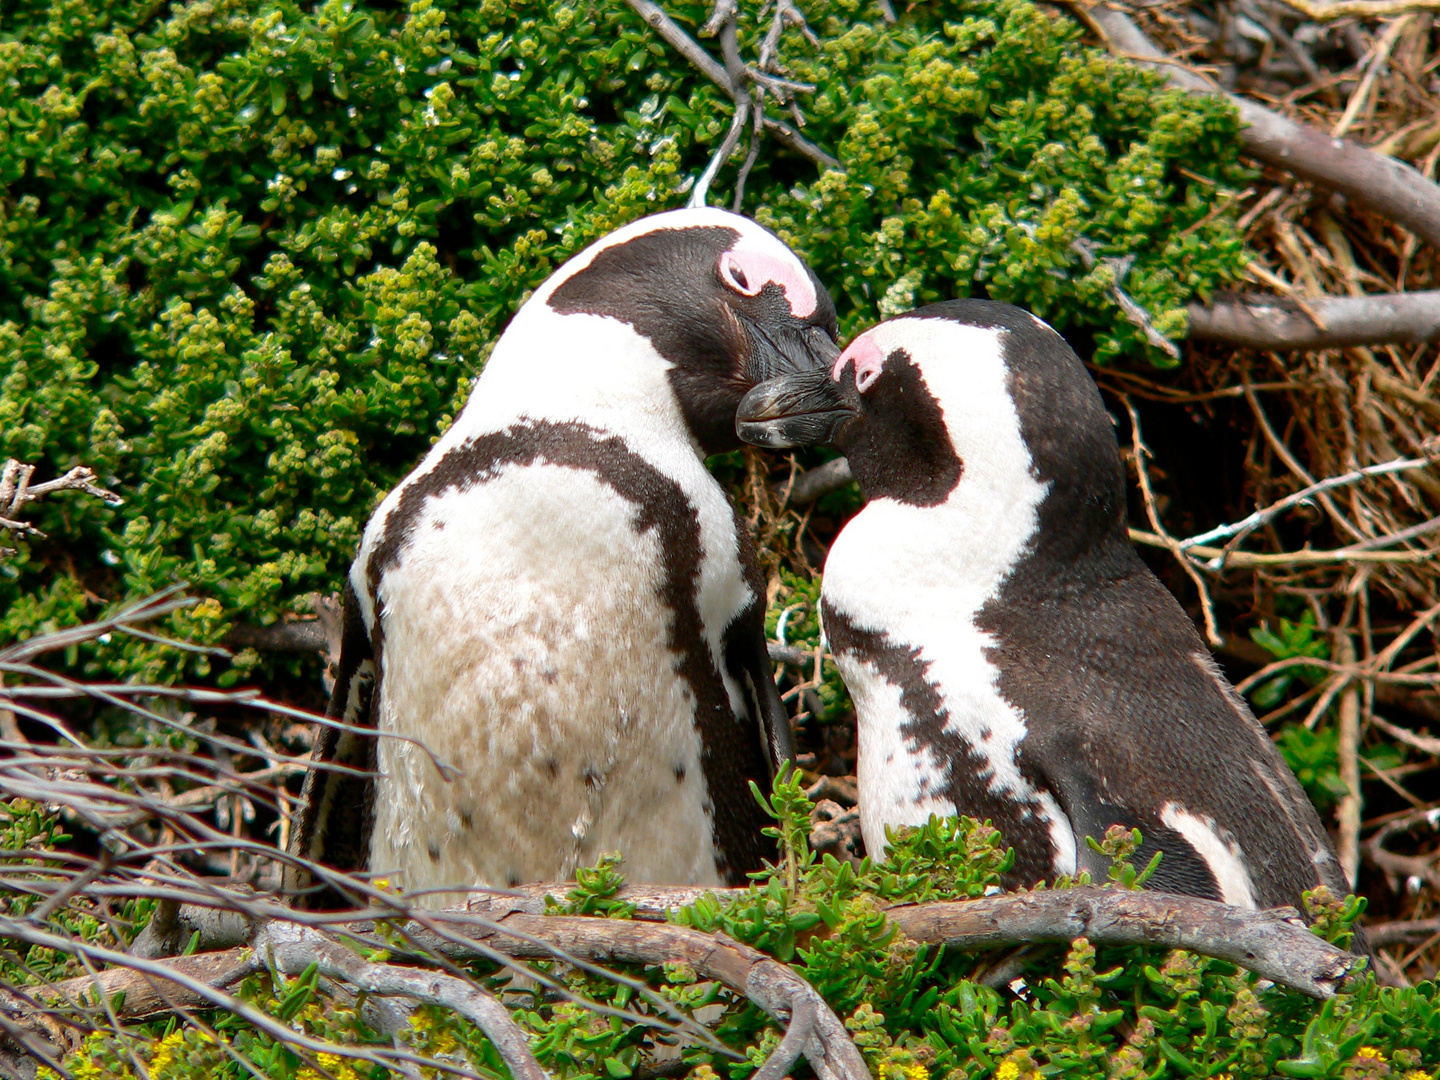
964 392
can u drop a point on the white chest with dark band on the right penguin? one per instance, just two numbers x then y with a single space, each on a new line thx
927 610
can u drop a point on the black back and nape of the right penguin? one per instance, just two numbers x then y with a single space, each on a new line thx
1124 706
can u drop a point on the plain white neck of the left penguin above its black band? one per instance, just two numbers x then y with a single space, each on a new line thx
578 369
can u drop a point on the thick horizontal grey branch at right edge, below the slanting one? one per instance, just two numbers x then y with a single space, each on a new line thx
1258 322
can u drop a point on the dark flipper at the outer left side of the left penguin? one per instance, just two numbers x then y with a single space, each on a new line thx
338 801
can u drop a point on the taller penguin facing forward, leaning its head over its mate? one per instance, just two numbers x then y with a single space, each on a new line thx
561 604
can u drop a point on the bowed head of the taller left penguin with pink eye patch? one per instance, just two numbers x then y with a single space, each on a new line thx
719 297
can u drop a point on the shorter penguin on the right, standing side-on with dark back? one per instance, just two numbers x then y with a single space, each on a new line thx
1009 654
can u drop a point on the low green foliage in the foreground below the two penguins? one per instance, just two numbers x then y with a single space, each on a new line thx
915 1012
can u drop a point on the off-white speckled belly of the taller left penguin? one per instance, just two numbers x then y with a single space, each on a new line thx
525 644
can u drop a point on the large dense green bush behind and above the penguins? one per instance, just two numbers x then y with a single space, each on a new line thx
254 253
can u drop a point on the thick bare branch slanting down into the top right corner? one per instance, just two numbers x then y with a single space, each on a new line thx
1385 185
